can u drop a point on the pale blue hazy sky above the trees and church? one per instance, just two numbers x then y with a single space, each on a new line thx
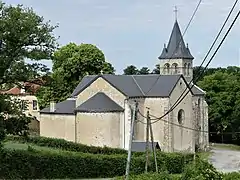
133 32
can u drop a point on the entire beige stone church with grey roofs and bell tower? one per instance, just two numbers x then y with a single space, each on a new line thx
99 110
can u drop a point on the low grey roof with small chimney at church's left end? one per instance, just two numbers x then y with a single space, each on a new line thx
65 107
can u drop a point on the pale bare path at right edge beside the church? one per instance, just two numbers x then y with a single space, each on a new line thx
225 160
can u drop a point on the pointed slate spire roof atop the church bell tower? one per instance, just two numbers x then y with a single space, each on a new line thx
176 47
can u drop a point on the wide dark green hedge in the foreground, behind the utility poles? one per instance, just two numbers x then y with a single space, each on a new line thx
34 164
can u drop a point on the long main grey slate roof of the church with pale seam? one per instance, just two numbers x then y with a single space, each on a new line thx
135 85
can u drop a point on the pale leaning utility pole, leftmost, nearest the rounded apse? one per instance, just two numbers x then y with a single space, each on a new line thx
130 140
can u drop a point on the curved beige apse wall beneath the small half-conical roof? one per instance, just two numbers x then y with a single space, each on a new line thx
100 129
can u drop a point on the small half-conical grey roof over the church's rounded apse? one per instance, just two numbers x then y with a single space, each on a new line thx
100 102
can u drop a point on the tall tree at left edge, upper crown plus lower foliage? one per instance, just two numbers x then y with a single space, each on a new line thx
23 34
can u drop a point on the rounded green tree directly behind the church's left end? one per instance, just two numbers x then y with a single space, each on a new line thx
70 64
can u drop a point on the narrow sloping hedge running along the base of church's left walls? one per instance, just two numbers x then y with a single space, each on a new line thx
66 145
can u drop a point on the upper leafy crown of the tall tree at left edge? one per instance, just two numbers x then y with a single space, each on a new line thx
23 34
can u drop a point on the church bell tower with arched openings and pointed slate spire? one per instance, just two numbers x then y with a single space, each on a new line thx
176 57
